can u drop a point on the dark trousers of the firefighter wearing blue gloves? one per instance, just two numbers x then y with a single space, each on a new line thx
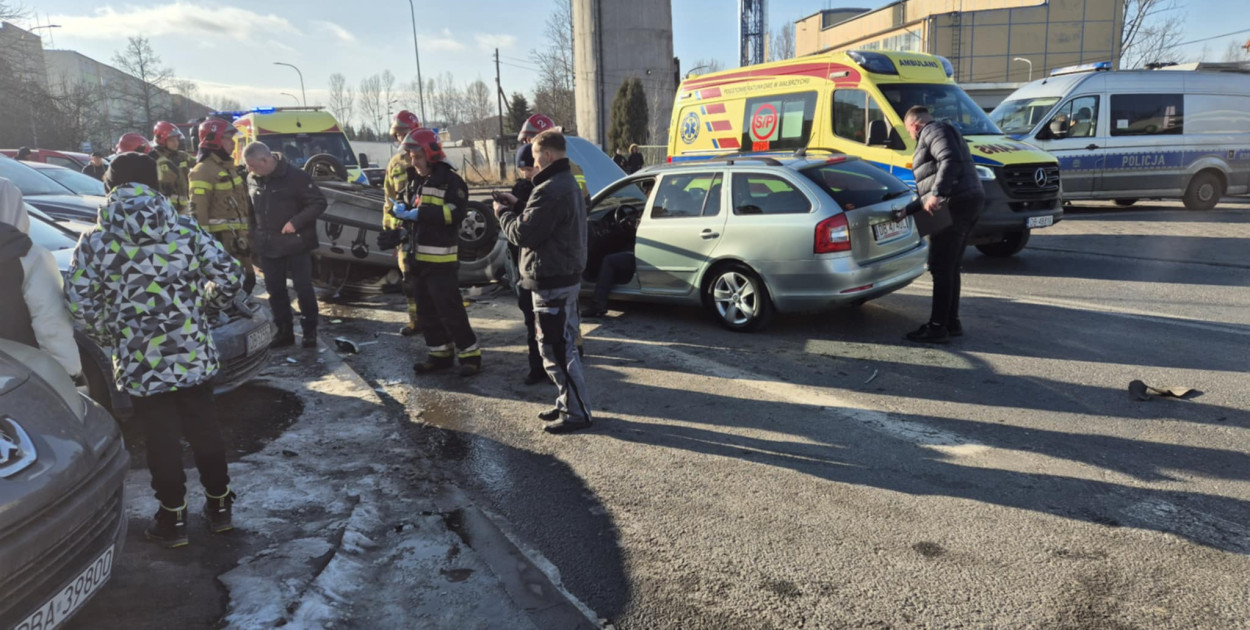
444 321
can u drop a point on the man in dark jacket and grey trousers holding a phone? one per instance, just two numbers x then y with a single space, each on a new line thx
552 234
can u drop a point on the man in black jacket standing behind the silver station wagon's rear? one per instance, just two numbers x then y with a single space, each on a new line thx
947 181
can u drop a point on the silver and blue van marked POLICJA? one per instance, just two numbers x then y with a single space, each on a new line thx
1139 134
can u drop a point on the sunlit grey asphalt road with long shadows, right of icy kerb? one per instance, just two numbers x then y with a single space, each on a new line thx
828 474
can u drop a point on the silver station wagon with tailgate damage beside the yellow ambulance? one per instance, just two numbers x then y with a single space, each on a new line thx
749 237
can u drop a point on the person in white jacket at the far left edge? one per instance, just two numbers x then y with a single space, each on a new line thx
39 319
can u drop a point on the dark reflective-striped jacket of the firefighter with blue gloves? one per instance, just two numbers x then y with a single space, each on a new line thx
442 202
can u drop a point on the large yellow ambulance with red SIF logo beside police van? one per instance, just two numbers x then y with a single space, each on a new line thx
853 103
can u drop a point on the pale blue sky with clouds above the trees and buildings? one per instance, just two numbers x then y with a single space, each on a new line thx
231 47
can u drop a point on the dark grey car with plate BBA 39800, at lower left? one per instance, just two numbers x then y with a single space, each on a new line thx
63 471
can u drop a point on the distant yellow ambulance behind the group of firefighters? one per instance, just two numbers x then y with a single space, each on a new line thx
299 134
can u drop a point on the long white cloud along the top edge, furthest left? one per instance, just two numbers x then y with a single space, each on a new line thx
179 19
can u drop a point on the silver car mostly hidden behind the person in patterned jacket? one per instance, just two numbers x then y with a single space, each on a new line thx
242 337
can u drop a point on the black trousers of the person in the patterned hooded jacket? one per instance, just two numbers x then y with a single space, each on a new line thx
167 418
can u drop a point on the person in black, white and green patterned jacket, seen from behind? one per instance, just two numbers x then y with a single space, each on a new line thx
139 283
